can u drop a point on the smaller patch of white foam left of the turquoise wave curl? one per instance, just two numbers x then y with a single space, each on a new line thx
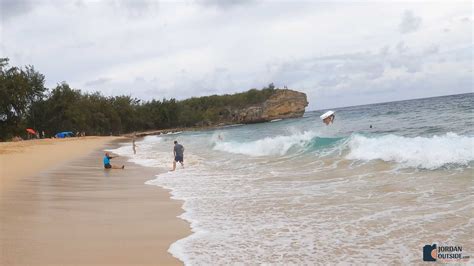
278 145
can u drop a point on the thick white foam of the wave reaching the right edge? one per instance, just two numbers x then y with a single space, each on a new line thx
422 152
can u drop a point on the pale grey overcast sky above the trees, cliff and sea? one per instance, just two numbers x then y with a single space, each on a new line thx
338 53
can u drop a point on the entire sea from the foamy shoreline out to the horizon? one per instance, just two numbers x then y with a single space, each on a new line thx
299 192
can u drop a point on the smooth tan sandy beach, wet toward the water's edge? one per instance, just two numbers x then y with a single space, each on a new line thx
60 207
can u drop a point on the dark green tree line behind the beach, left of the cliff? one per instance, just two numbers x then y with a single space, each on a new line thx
25 102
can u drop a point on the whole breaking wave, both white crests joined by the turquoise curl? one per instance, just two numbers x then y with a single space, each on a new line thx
417 152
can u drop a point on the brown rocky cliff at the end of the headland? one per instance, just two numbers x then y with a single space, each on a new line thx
283 103
